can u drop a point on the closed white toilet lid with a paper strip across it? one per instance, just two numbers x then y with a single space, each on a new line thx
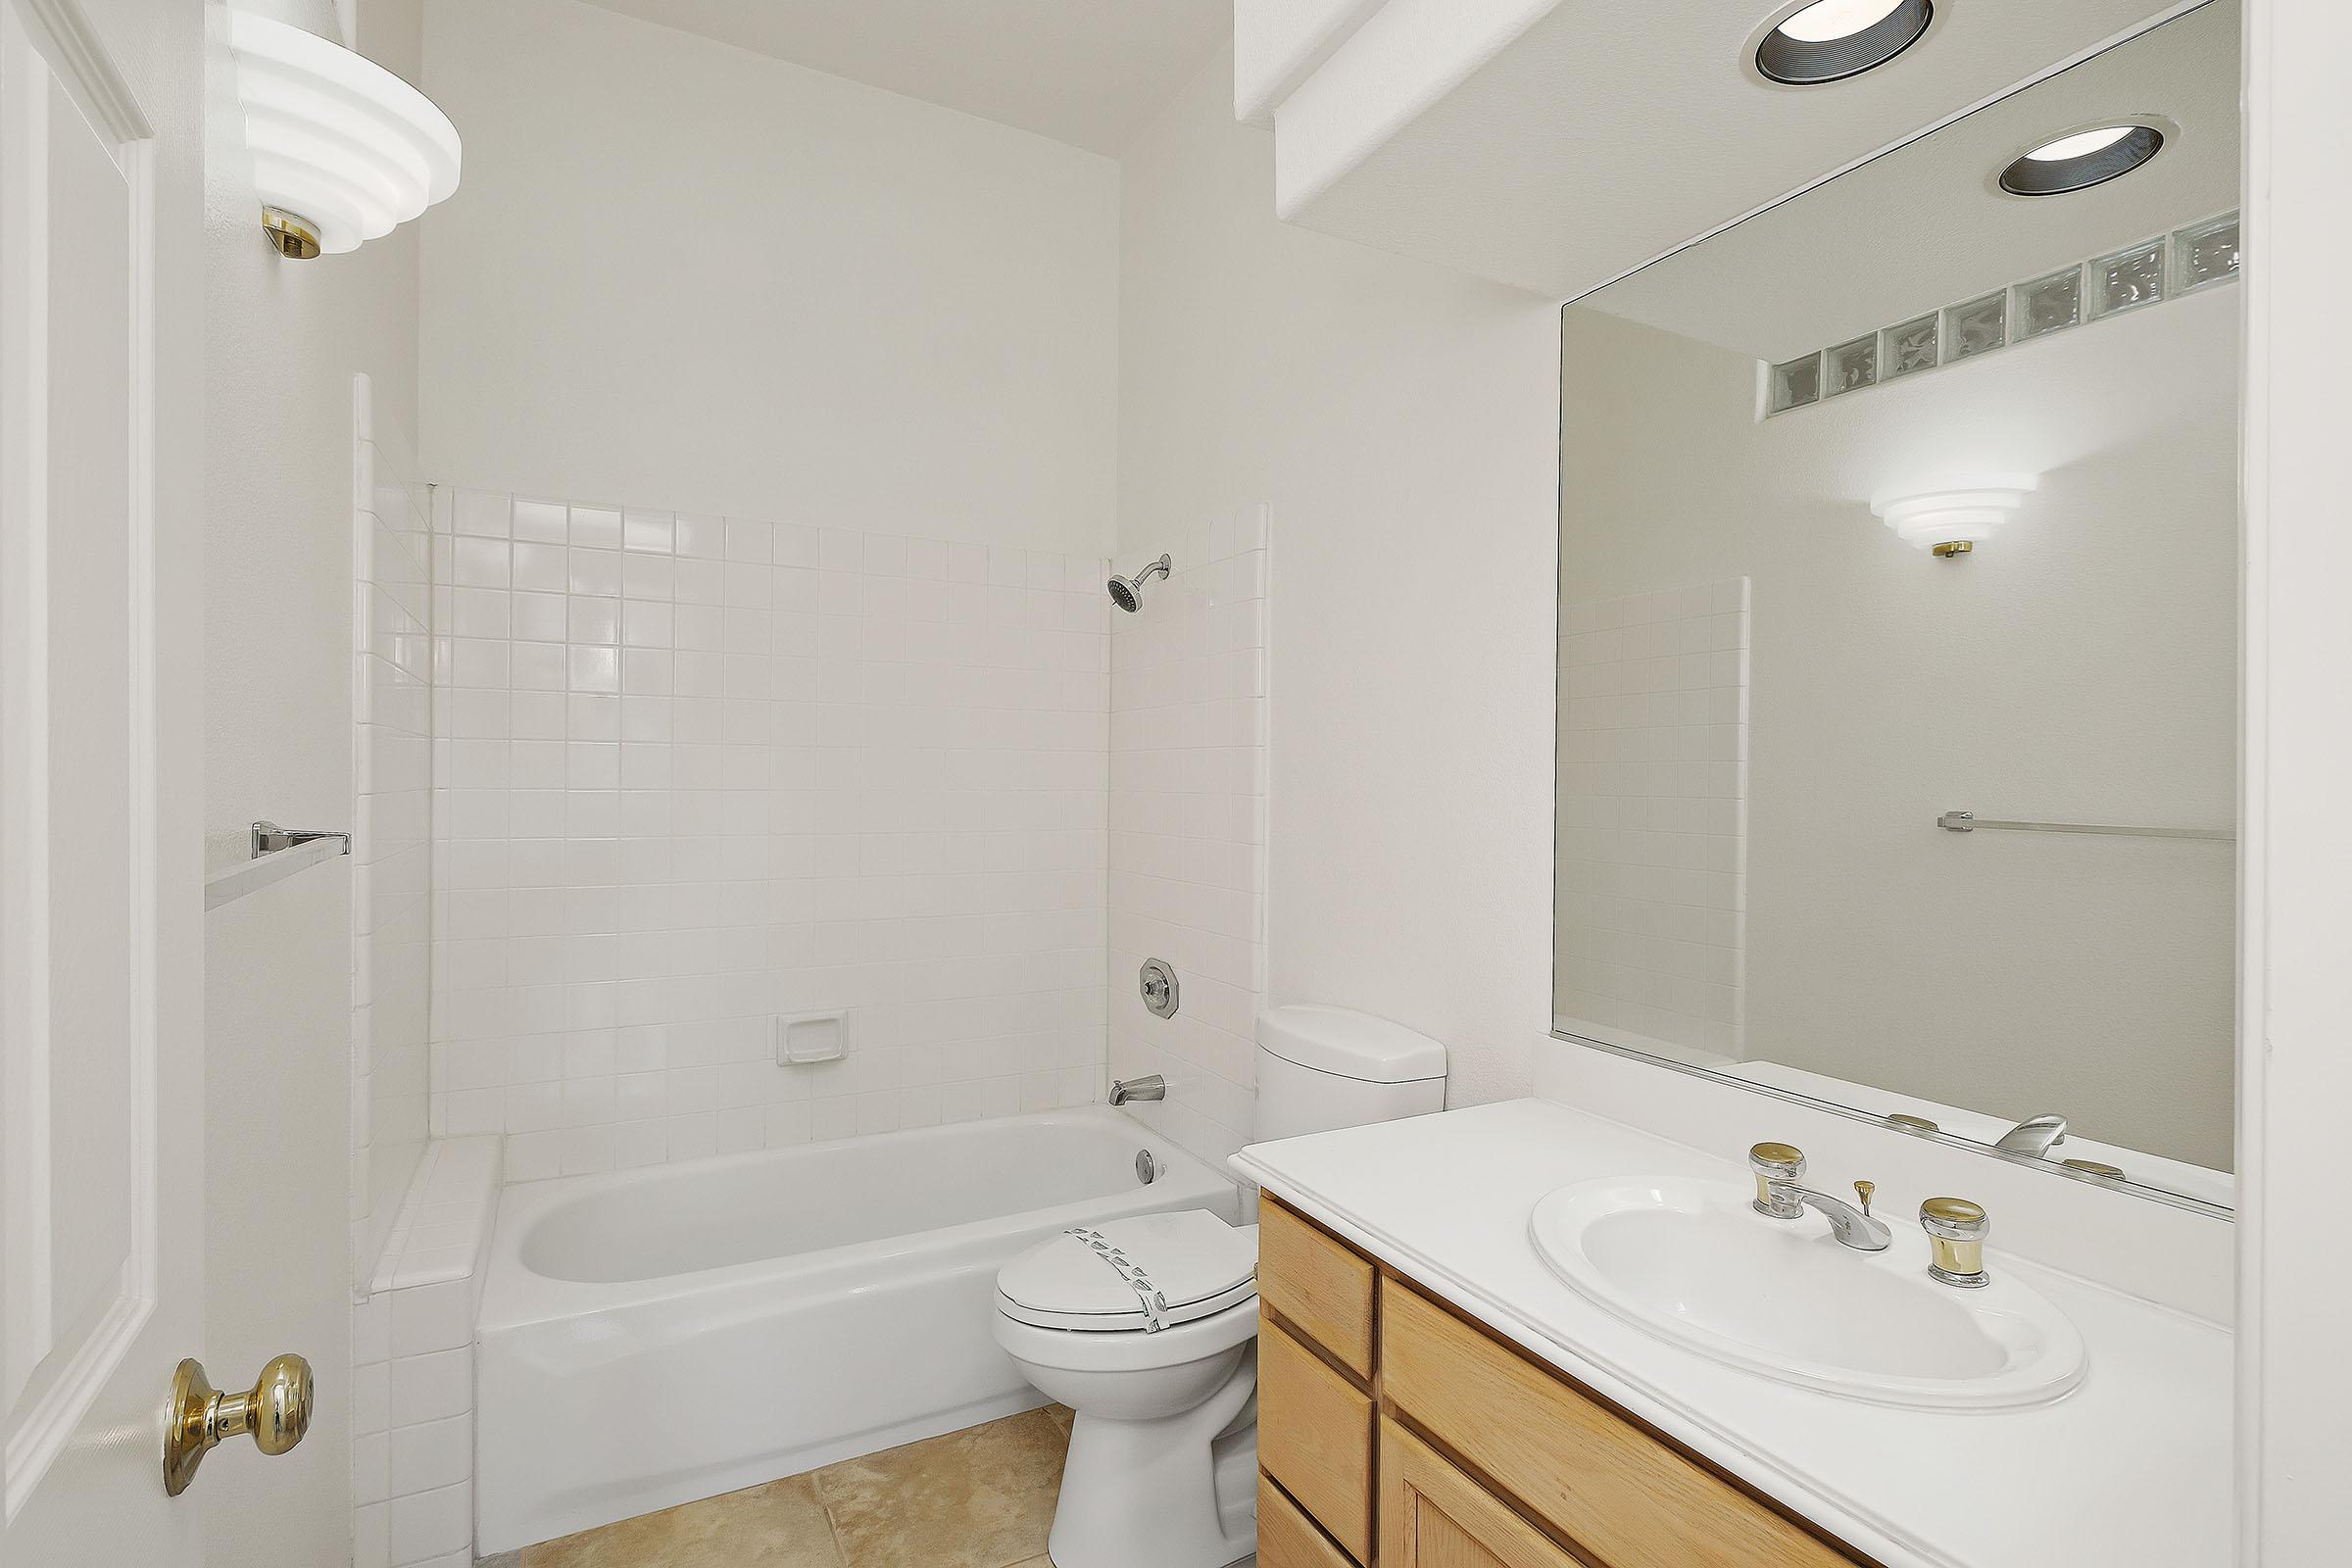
1149 1271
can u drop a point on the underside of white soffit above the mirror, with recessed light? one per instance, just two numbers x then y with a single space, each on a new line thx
1612 133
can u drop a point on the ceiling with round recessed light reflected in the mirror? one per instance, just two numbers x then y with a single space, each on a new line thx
1927 227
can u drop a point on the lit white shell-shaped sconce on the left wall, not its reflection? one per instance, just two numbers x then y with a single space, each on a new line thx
345 152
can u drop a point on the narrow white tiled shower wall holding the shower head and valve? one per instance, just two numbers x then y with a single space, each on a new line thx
1189 836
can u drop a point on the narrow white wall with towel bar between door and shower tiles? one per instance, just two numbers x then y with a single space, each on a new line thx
283 344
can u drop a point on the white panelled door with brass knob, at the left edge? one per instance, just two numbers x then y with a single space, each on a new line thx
100 855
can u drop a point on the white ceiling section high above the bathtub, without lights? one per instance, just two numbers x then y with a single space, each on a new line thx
1083 72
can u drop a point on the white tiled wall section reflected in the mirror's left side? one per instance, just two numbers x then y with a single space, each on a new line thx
1655 819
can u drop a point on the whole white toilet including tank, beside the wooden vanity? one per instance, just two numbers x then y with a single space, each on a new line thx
1149 1327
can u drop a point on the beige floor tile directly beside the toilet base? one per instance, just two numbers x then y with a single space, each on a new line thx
980 1499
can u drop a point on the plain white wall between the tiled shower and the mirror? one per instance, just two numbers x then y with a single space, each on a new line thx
1403 427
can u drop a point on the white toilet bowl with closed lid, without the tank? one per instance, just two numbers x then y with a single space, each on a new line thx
1147 1329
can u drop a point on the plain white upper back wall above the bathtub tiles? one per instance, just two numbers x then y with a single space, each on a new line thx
700 279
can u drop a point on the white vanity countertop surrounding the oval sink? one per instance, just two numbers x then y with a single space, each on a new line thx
2127 1470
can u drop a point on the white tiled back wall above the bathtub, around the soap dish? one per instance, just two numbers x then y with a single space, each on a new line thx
697 772
